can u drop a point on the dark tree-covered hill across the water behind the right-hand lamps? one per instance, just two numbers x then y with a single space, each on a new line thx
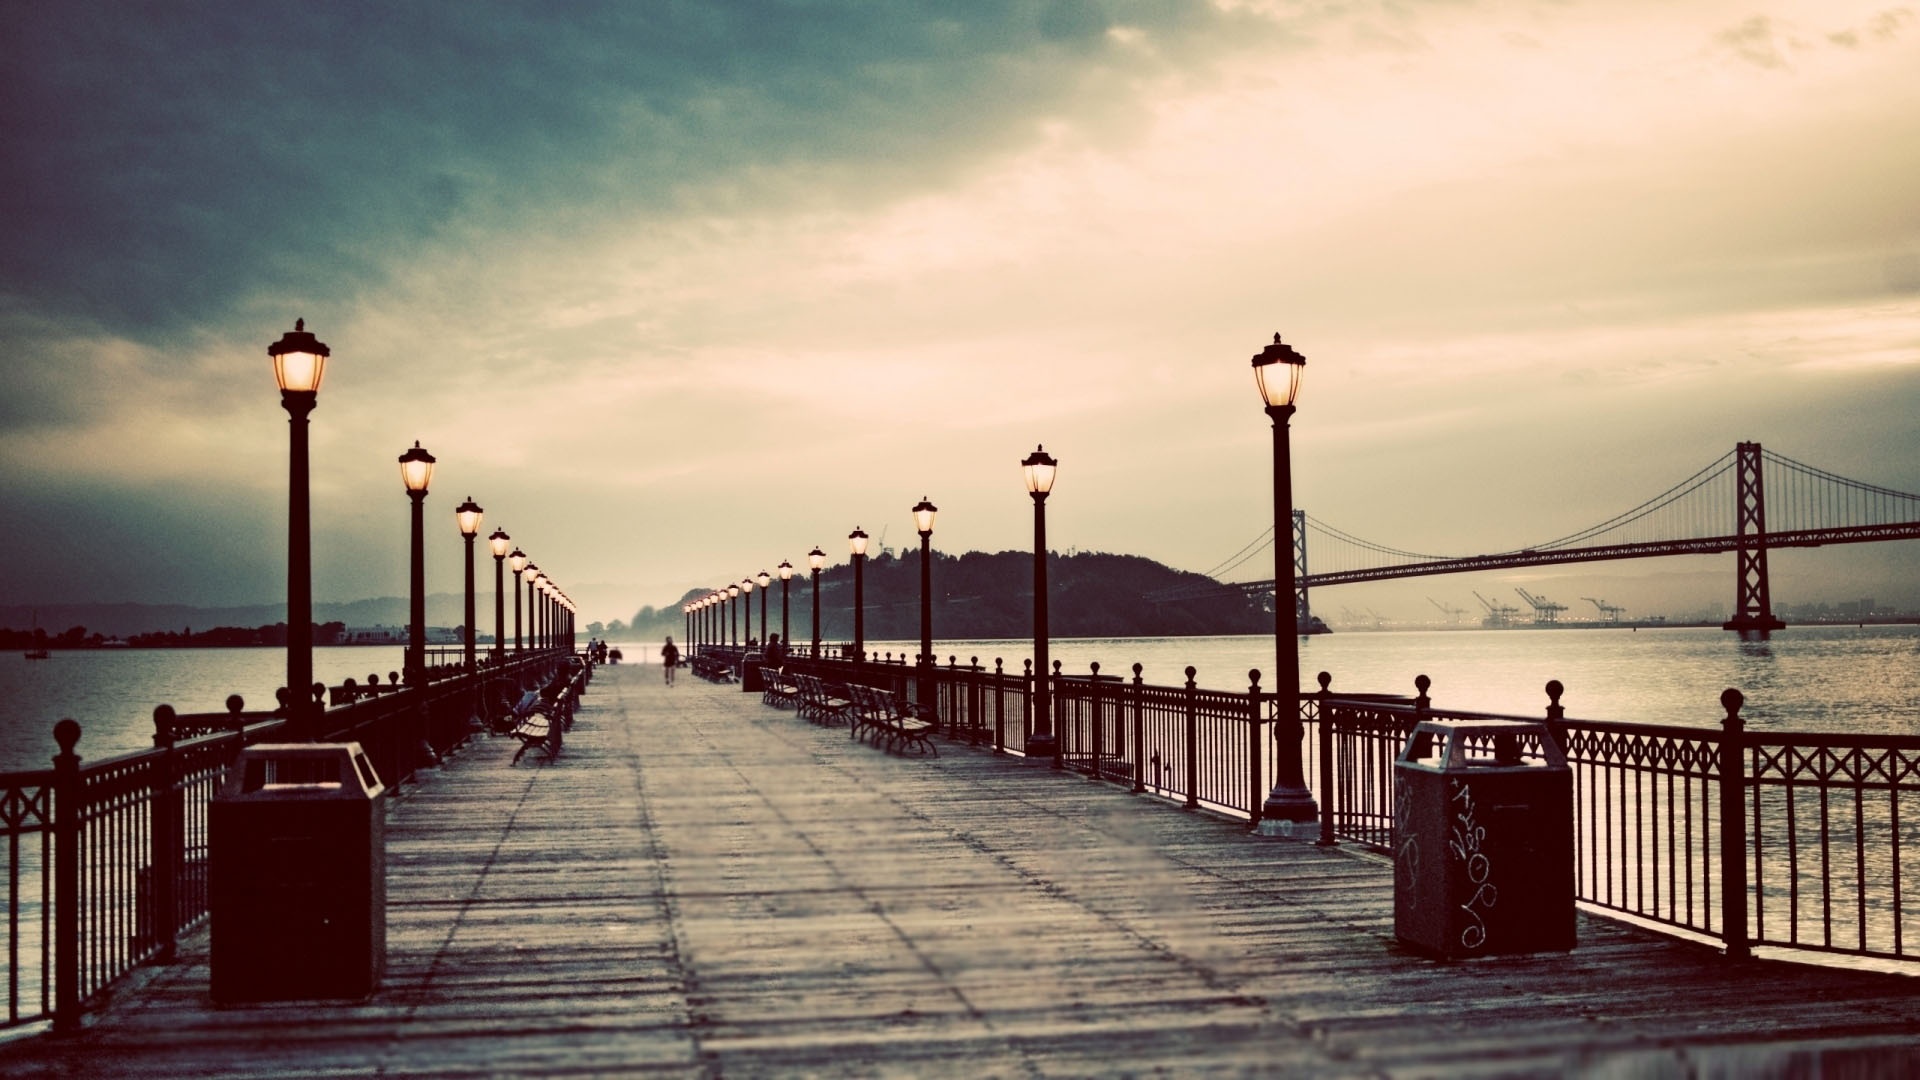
982 595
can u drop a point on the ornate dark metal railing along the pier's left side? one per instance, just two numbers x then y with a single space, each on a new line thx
107 864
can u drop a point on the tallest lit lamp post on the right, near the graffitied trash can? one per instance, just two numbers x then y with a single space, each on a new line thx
1278 376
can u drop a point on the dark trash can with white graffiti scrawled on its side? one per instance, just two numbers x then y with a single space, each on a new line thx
1483 841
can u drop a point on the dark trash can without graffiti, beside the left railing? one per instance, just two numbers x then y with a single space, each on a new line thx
299 875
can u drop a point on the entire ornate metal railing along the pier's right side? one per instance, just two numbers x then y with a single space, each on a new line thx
1808 848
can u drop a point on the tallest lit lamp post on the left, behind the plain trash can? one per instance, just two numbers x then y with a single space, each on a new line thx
299 364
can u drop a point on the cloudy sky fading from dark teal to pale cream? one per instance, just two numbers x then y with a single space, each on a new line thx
679 291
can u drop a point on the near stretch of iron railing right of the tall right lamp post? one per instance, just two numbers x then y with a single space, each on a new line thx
1798 841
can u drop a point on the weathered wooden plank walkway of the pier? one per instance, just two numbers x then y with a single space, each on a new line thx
708 887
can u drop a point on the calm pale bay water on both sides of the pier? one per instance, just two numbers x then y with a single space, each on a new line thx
1804 679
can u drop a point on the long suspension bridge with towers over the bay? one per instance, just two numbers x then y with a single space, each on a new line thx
1748 503
